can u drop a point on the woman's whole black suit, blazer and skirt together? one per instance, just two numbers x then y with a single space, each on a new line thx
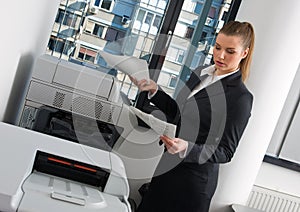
212 121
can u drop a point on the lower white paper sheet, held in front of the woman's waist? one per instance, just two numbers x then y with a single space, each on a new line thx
159 126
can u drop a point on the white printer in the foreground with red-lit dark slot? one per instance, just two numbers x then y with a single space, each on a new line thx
44 173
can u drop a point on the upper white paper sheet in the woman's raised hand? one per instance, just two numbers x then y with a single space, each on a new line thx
130 65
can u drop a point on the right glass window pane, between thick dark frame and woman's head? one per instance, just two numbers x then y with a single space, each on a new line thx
191 44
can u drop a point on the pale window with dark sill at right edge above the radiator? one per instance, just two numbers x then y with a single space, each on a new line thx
284 147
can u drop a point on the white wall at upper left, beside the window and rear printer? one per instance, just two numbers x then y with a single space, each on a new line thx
25 30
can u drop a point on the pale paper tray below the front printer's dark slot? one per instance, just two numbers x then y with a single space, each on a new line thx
43 192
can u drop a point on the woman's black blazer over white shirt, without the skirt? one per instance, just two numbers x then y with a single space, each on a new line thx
213 120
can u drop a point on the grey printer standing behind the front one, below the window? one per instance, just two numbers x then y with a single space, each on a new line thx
85 106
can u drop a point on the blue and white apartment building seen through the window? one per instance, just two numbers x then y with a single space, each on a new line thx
80 34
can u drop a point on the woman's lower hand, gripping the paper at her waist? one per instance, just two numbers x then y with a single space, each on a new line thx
174 145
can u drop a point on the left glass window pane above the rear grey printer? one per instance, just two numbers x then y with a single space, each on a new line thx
124 27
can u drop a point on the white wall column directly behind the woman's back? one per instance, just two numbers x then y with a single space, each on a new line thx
275 63
